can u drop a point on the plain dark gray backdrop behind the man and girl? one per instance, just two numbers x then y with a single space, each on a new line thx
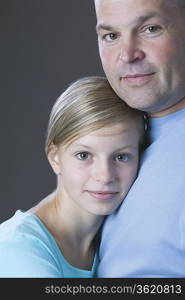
45 44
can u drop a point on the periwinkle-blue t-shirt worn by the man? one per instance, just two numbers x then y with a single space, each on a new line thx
146 236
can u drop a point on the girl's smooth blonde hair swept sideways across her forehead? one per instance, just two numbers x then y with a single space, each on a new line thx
86 105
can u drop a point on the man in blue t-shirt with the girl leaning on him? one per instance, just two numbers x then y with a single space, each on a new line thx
142 49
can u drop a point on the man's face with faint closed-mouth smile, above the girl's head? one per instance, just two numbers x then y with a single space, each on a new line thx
142 48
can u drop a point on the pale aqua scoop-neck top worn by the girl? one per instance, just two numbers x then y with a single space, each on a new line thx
27 249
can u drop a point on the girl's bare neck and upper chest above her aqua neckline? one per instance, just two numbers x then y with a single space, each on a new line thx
76 235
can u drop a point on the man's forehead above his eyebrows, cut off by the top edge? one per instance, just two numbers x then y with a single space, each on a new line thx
116 14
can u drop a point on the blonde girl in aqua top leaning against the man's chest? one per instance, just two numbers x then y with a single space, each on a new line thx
93 144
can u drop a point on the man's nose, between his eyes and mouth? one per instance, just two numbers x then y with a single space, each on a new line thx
130 50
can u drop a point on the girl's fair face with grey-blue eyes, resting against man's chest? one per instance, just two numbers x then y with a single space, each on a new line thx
96 171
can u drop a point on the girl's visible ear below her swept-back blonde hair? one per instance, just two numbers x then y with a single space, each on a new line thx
53 158
